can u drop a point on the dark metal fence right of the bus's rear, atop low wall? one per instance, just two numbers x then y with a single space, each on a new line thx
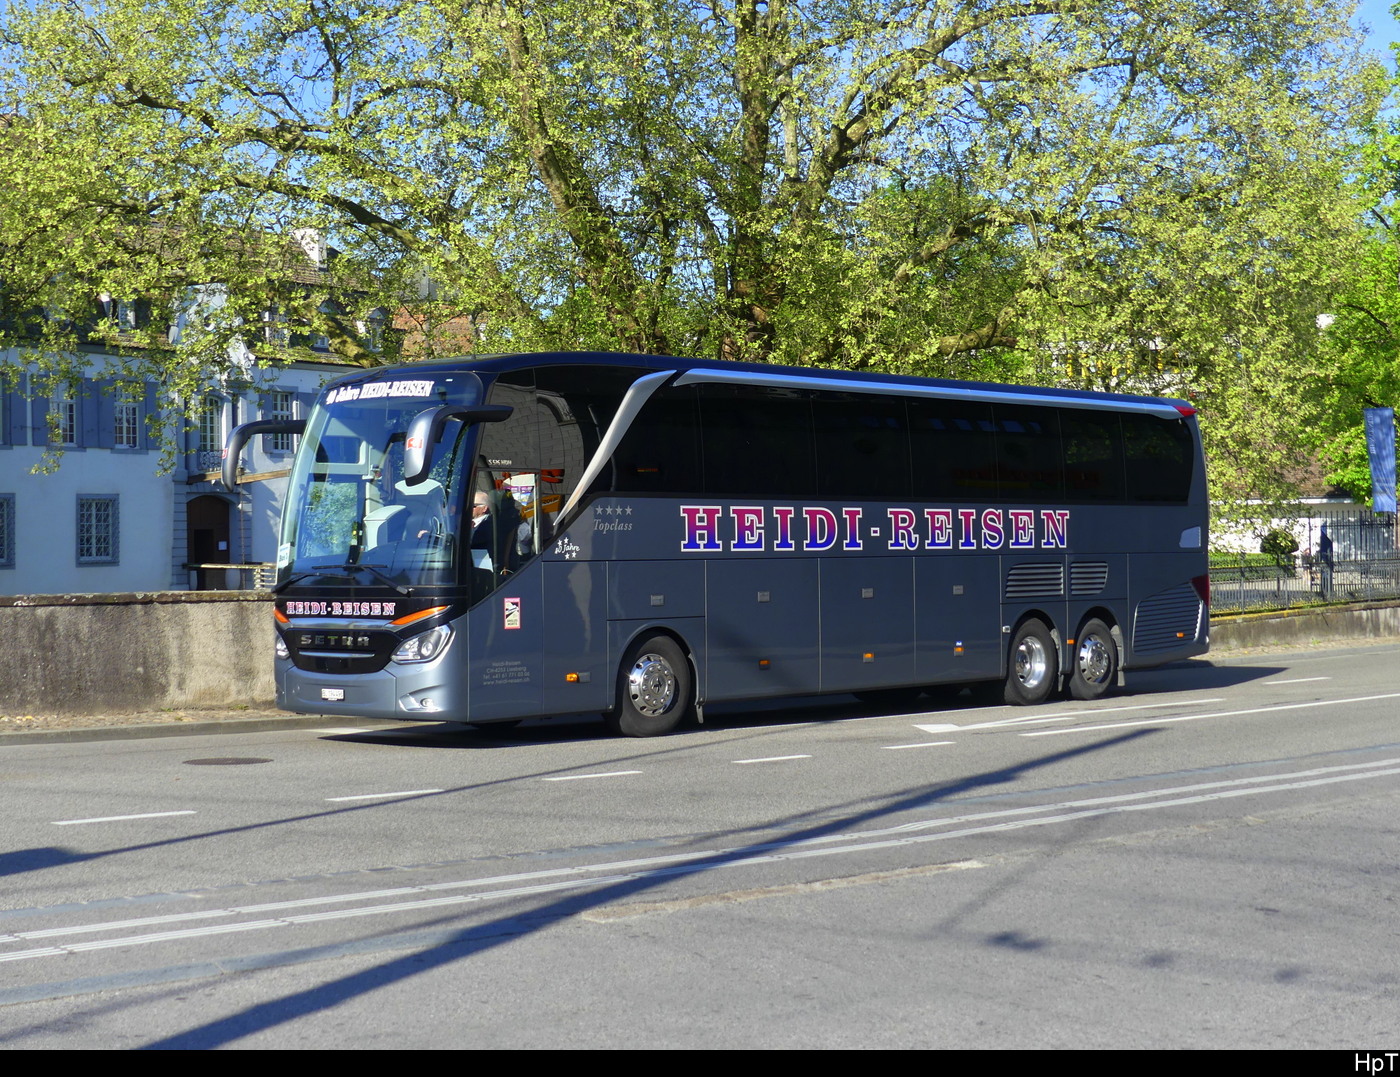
1339 560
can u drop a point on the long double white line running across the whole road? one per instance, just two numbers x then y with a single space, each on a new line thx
657 868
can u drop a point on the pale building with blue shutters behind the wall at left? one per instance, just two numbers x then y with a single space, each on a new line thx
107 519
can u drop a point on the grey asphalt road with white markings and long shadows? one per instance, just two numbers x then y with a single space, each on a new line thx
1206 859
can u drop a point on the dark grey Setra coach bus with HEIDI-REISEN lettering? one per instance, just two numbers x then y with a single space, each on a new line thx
495 538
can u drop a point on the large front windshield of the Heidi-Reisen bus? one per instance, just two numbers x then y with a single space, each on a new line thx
352 515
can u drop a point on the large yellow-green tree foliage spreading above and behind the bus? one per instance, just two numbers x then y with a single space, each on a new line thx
1122 194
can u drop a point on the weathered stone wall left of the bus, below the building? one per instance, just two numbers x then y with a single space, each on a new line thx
115 653
